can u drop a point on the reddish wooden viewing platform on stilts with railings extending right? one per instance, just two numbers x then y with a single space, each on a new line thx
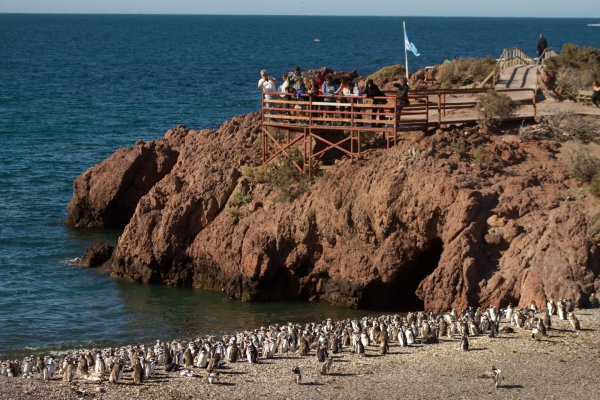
339 122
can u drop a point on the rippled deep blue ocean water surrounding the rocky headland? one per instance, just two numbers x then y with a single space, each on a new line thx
73 88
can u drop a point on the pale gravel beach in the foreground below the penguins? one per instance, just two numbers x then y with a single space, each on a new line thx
563 365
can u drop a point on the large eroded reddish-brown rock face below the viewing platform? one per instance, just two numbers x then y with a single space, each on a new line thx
419 225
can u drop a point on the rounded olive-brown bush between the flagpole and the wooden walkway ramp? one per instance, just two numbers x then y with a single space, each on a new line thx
464 72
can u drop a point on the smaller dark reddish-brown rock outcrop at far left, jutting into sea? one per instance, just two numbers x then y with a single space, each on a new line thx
106 195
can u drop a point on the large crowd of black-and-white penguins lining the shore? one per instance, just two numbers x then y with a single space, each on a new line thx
324 339
